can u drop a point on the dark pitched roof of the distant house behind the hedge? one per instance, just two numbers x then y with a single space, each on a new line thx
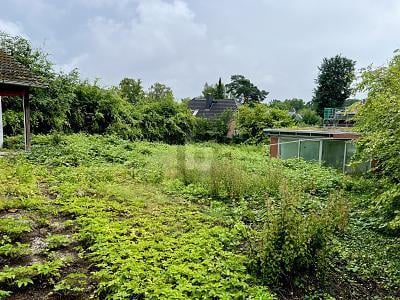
218 106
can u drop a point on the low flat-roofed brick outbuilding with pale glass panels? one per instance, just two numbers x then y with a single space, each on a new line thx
331 147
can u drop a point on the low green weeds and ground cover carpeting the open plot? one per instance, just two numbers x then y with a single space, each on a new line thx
133 219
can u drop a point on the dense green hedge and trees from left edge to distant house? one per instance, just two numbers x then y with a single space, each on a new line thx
72 105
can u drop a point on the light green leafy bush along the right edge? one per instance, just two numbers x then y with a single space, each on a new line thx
378 121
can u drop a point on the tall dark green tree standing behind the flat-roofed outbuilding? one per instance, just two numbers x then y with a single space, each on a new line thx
334 81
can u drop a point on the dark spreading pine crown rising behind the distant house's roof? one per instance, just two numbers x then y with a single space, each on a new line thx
241 87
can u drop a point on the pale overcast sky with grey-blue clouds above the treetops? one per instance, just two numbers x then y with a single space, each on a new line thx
278 44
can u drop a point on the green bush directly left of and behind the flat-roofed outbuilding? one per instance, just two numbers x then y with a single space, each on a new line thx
253 120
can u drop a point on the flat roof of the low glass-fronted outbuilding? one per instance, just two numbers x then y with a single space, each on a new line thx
334 133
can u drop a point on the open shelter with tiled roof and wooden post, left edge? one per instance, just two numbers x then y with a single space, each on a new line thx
16 80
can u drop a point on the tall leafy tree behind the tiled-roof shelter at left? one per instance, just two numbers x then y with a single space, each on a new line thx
50 105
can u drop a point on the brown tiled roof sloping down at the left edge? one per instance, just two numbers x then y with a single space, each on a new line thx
14 73
